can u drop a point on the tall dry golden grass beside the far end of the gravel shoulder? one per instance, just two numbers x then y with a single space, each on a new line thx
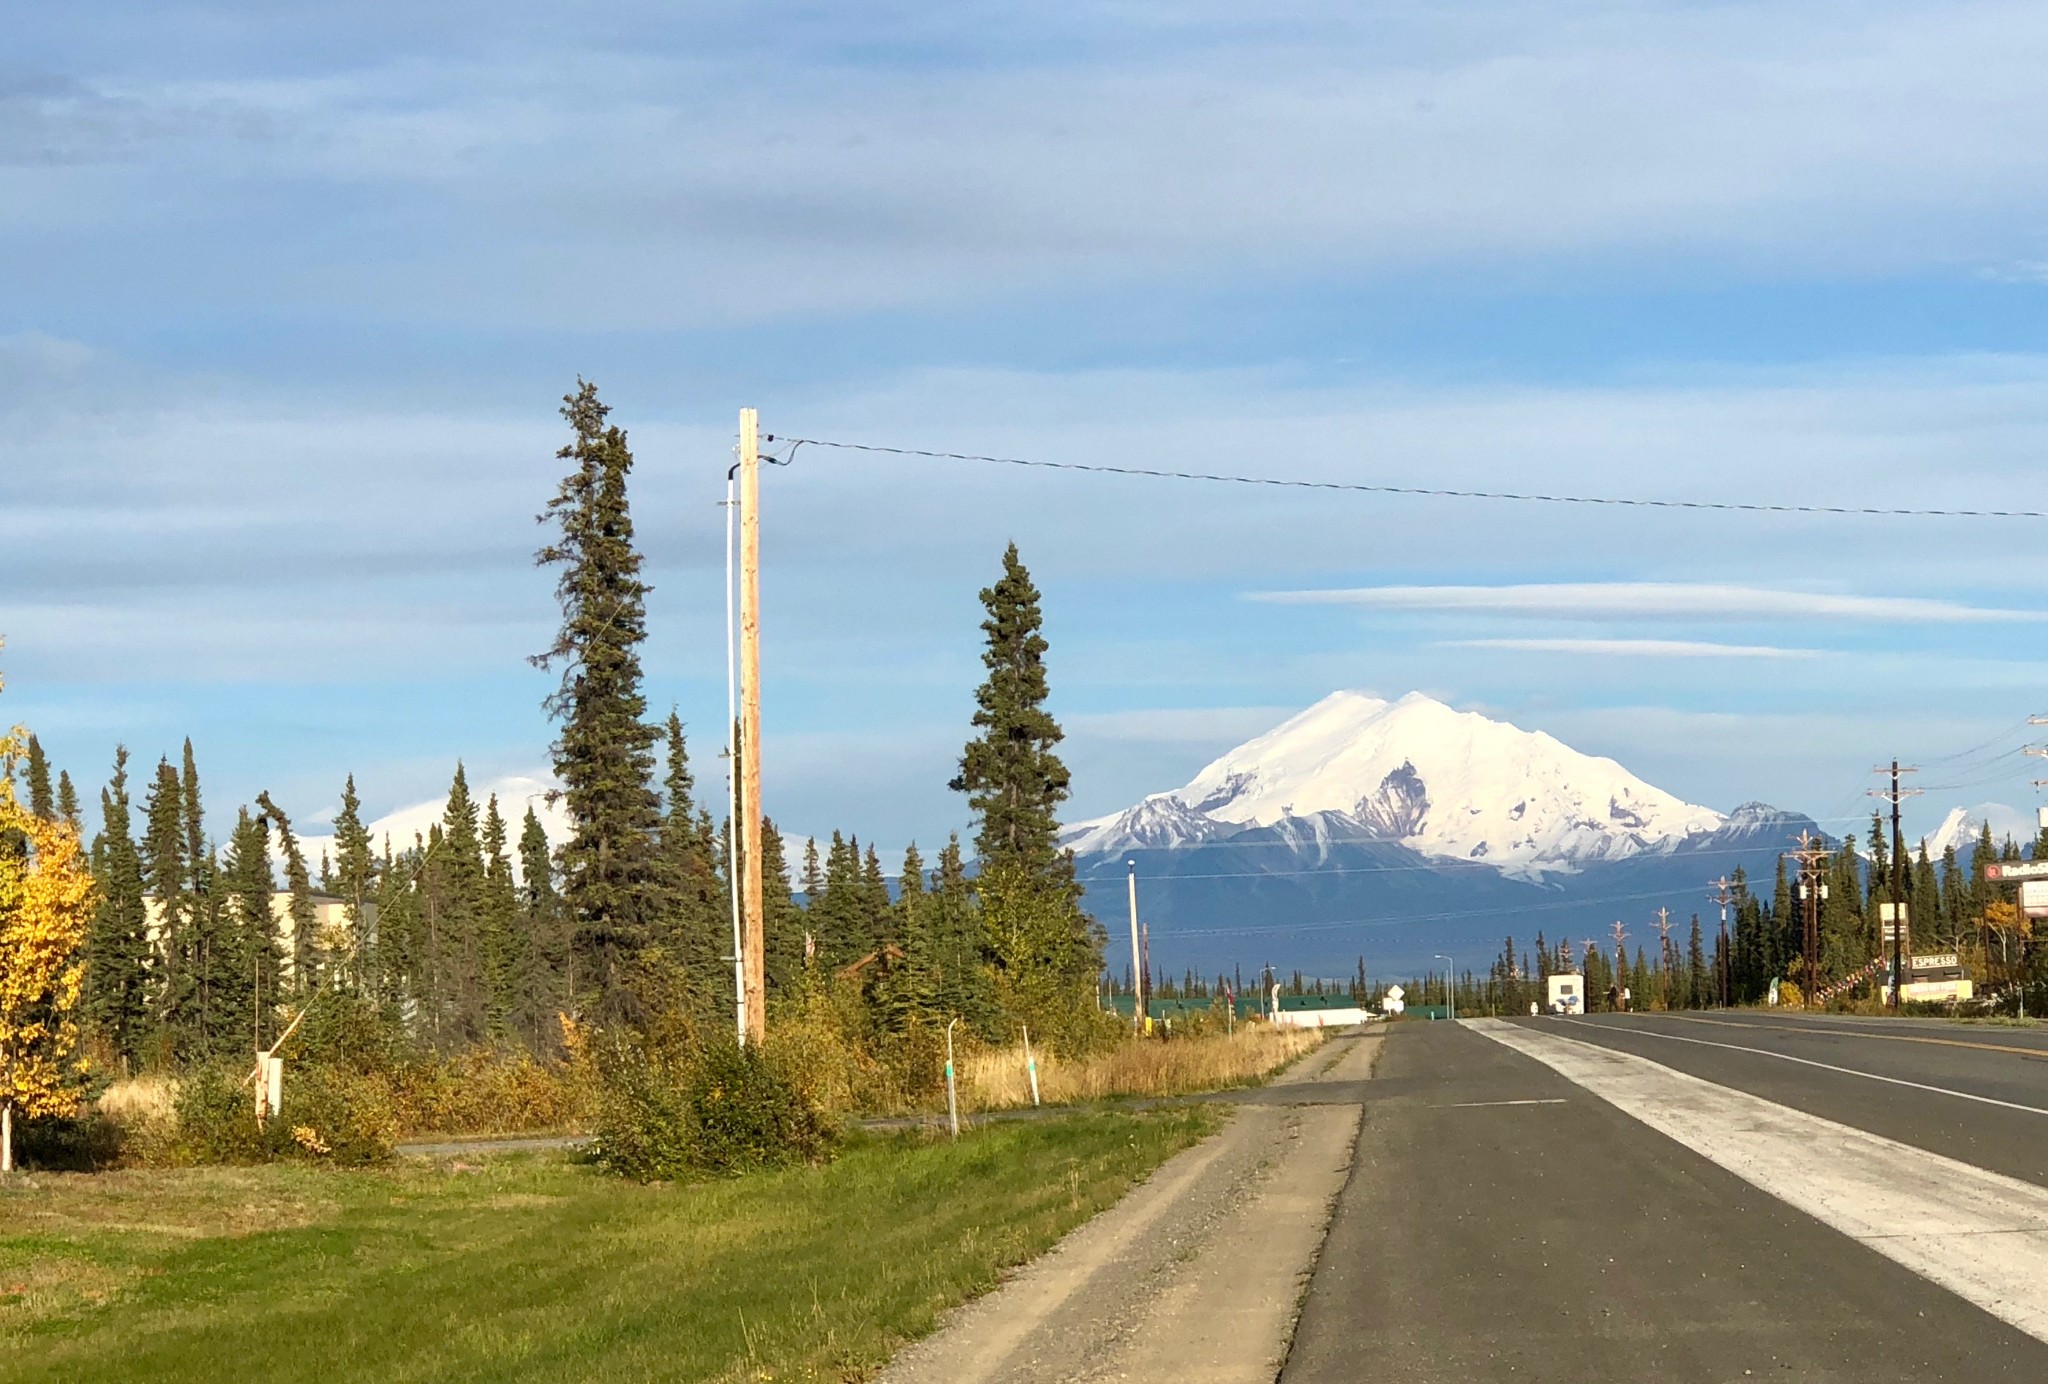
996 1078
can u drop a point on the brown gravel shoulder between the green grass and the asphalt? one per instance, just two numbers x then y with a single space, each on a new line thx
1195 1277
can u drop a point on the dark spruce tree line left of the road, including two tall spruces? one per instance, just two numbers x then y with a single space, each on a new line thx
208 937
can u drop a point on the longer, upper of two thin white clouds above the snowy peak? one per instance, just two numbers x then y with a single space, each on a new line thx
1687 601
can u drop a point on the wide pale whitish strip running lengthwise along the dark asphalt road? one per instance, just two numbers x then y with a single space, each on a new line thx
1918 1209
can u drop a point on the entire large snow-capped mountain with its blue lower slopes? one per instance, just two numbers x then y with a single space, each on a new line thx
1402 830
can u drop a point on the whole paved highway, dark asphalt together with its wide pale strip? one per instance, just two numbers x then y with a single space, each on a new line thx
1713 1197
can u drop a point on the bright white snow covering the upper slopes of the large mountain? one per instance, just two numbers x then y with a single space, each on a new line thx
1445 783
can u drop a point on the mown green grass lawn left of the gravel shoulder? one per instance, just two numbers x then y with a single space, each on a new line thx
538 1268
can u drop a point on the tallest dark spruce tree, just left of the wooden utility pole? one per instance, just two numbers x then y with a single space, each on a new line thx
605 756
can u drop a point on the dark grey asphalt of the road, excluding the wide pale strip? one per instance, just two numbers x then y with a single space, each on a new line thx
1504 1223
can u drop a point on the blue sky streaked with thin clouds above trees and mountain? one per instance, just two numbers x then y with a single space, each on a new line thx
290 294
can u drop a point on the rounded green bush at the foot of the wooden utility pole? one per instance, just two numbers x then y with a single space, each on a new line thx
671 1111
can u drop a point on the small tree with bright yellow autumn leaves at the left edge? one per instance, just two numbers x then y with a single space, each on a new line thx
46 902
